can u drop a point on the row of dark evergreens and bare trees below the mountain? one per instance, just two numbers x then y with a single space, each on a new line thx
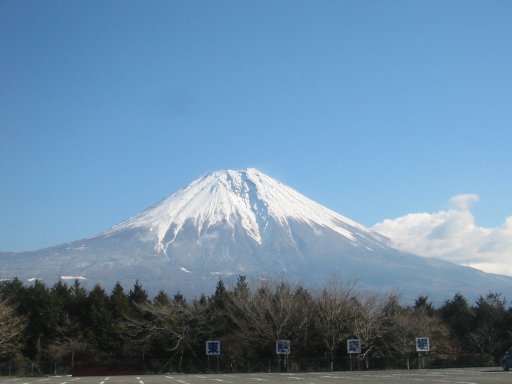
70 323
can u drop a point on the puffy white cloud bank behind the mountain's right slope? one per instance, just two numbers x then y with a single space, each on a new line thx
452 235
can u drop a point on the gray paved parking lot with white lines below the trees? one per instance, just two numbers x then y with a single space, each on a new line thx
438 376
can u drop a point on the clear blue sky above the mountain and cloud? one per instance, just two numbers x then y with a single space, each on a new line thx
375 109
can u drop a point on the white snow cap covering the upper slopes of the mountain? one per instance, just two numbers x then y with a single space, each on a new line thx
248 197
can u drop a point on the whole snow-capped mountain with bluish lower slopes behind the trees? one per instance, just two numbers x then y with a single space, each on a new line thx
243 222
